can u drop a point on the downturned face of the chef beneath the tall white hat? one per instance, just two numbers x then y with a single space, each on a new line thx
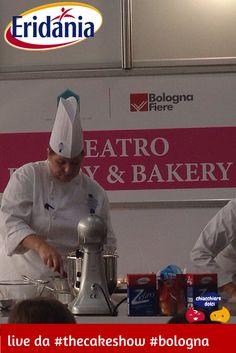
64 169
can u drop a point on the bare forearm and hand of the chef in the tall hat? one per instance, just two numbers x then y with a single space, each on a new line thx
47 253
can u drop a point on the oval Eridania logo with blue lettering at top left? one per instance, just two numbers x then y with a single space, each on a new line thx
53 26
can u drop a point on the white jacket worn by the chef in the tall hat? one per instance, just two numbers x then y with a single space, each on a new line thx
36 203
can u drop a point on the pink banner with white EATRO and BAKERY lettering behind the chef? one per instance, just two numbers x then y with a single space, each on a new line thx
139 159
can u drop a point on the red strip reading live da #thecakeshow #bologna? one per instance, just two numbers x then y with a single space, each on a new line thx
145 338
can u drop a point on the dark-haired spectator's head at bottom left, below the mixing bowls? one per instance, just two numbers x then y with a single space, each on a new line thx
40 310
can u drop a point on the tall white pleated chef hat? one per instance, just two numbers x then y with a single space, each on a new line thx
67 136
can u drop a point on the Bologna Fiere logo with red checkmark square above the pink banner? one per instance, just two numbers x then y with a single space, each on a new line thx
147 102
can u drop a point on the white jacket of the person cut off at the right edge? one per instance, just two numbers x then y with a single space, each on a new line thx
215 249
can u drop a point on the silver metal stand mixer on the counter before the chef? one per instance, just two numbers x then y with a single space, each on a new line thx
93 297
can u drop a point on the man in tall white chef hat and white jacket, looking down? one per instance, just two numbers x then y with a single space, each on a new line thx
44 201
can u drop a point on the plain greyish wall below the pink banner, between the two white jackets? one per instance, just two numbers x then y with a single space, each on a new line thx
150 239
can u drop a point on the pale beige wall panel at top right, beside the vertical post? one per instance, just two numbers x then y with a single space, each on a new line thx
182 29
